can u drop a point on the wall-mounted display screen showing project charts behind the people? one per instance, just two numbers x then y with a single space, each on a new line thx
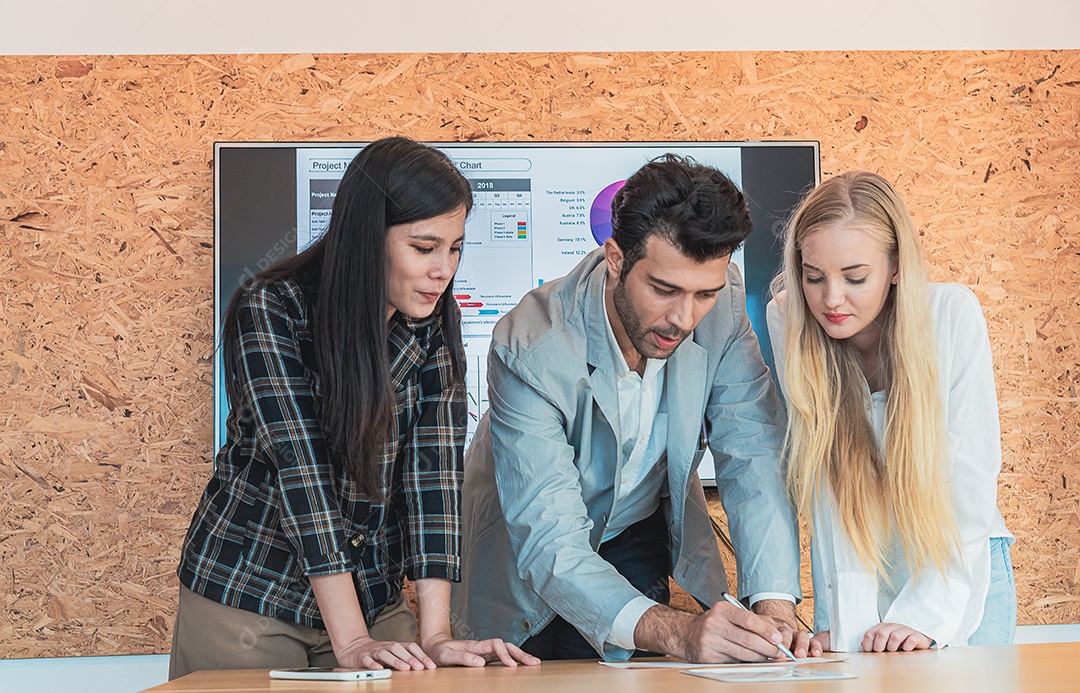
538 209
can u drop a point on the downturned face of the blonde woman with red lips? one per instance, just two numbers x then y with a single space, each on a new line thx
846 280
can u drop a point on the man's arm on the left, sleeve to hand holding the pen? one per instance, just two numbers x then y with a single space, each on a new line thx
542 497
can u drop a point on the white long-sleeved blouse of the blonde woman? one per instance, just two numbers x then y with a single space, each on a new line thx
946 607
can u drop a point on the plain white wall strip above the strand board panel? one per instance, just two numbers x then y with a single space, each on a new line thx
67 28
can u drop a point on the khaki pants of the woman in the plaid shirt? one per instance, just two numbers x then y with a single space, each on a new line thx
212 636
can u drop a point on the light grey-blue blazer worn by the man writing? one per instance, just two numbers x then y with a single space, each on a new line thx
542 468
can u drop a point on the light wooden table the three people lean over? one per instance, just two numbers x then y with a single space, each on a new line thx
1029 668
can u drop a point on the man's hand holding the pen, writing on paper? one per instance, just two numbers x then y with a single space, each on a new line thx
723 634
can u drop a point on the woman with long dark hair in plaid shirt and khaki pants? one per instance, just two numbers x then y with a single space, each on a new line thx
342 470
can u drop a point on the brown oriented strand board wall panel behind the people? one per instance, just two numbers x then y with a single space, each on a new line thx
106 265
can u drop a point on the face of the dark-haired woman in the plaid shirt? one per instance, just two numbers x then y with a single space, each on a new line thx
422 260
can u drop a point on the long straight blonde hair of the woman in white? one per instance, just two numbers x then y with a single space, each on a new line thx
830 445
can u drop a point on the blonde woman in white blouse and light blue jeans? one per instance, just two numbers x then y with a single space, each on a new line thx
893 445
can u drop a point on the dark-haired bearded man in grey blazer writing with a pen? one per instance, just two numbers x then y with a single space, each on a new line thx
582 496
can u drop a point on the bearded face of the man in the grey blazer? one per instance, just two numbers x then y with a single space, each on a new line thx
665 296
